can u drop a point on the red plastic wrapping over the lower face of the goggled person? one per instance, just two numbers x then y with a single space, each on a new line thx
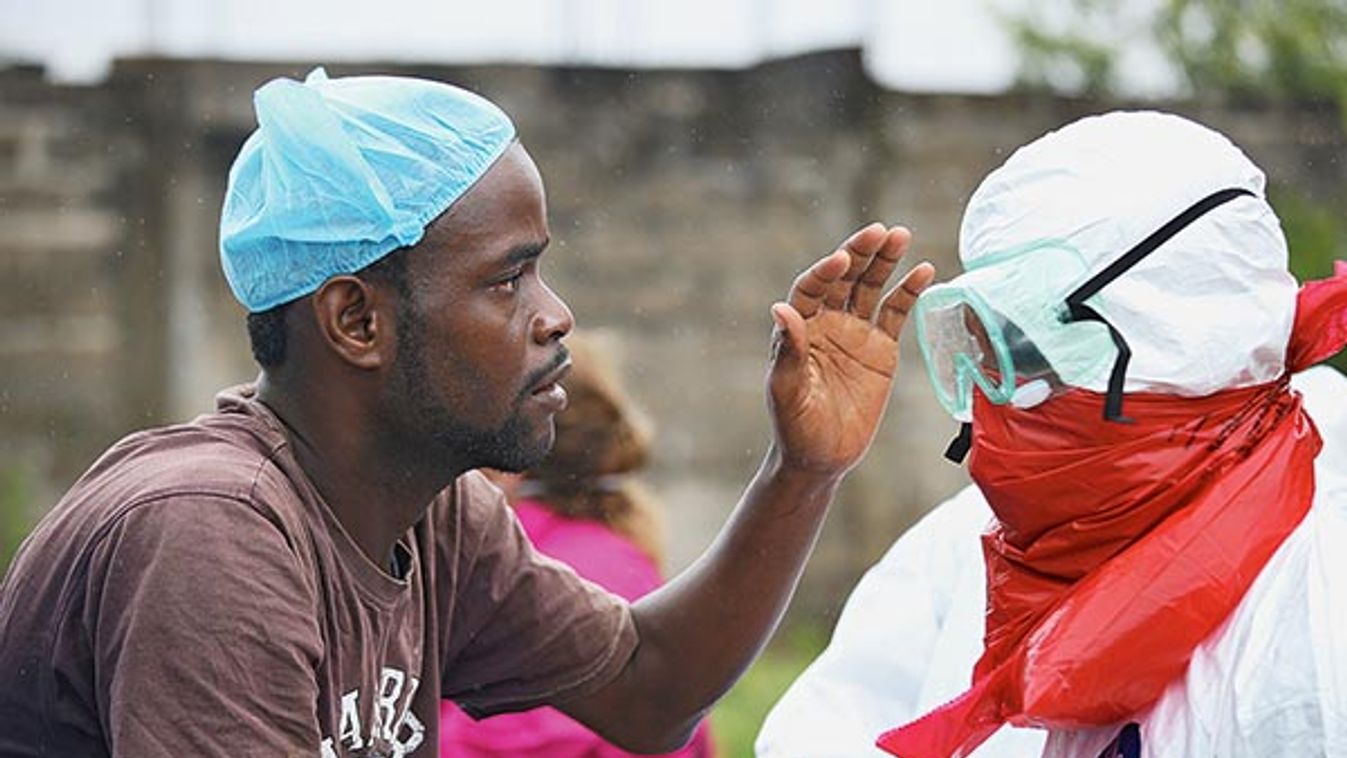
1119 549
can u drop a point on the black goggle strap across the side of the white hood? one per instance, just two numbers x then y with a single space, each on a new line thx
1078 312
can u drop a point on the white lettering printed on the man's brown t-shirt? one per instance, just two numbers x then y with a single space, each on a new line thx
394 729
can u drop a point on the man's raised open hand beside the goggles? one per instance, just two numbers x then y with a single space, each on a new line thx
836 351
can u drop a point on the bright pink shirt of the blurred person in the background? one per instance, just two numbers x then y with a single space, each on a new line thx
608 559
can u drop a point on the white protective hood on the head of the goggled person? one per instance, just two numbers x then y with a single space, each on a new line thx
1213 308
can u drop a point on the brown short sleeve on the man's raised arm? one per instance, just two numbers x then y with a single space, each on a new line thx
525 631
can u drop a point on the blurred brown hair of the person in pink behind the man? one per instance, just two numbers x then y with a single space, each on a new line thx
601 438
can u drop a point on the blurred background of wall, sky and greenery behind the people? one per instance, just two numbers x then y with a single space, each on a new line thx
697 156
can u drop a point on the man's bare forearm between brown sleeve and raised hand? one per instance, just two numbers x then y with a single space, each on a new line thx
701 631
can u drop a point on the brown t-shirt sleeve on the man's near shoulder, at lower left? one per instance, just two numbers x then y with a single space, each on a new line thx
204 633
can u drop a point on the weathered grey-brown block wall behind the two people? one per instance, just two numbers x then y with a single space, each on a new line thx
682 205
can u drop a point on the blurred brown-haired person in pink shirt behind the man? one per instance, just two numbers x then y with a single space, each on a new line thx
583 508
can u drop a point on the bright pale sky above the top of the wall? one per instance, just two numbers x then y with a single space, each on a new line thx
910 45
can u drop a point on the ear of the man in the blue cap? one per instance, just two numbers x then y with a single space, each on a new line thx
356 321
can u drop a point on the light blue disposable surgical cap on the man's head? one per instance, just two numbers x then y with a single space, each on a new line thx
341 173
